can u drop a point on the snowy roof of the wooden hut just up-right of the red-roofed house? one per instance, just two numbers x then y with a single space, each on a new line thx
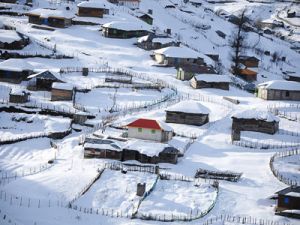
188 106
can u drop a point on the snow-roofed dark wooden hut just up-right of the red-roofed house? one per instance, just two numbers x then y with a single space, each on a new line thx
187 112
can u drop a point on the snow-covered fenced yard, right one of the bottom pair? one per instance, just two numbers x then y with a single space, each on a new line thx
177 199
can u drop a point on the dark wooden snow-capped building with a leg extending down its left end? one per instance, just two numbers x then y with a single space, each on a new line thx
252 120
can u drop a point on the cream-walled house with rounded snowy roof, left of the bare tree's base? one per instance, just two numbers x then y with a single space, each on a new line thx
180 56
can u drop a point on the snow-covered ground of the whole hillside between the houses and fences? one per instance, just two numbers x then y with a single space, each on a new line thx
46 193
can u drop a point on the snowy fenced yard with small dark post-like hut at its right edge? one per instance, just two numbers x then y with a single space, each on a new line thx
116 191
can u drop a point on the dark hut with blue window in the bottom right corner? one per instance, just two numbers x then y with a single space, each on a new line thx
288 202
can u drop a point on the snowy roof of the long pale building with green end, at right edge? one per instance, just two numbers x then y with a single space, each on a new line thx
281 85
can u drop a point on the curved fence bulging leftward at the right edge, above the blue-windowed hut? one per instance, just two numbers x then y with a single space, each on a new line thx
277 173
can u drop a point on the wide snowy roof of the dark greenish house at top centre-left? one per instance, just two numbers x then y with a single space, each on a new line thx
127 25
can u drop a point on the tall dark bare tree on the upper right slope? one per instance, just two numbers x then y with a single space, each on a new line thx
237 42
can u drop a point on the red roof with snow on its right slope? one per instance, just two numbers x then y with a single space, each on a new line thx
150 124
